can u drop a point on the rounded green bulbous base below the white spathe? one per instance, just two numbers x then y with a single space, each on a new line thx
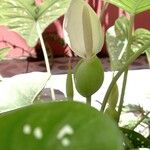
89 76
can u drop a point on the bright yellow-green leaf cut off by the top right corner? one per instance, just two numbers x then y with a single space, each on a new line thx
132 6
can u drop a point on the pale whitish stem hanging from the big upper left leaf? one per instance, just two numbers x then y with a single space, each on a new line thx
45 57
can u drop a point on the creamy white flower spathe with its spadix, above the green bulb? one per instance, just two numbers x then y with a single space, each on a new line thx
82 29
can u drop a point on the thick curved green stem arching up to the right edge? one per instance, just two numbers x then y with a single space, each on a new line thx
116 77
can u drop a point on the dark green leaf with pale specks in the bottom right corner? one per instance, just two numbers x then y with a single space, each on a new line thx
136 139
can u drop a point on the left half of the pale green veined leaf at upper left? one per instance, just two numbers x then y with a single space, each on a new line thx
19 15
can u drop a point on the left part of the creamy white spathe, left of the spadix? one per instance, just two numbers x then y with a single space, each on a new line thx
73 29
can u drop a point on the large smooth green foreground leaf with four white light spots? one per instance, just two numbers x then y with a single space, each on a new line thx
58 126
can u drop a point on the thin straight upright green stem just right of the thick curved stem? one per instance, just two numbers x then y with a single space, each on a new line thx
122 94
